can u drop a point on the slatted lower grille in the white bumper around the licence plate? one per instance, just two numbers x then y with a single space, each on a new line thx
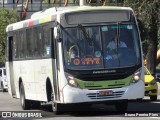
97 96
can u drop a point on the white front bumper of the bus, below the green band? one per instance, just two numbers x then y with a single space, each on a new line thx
77 95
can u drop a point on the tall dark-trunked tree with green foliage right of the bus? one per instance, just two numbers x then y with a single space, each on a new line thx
148 14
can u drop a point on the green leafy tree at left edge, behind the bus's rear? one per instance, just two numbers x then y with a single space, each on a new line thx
6 17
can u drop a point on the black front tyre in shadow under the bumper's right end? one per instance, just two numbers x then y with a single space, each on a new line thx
121 106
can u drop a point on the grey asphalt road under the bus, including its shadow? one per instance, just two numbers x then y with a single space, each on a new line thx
95 112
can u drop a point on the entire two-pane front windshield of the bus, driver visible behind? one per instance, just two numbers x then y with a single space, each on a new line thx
101 47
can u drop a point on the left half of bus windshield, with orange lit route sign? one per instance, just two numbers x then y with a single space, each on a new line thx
83 47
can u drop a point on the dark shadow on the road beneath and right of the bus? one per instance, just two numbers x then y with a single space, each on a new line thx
144 106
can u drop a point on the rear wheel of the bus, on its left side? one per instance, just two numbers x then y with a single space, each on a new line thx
26 104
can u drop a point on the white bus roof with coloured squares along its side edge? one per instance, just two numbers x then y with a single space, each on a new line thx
46 15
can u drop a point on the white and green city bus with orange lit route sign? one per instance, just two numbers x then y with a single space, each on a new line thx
60 55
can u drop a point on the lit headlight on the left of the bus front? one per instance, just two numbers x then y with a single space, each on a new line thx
71 80
